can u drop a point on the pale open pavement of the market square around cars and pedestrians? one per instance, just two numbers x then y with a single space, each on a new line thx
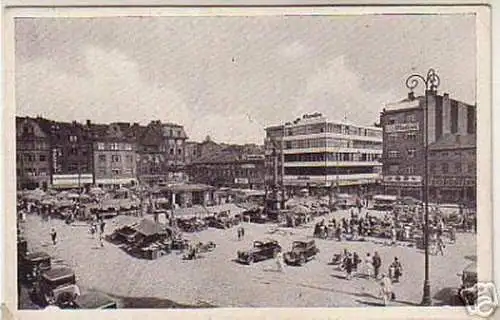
218 280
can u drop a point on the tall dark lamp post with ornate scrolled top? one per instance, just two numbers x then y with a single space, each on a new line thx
431 82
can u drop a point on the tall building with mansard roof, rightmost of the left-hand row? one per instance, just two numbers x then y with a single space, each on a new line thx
161 153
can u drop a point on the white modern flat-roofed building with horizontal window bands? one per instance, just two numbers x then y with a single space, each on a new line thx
318 154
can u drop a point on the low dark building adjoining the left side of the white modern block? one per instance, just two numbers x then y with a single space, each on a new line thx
232 166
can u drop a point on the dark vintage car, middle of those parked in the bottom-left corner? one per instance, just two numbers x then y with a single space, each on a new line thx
54 284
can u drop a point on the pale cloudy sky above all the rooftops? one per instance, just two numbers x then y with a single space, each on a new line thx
230 77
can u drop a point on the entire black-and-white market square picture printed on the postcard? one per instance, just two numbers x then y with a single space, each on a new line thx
230 160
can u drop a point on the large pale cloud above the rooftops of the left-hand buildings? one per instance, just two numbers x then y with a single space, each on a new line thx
110 89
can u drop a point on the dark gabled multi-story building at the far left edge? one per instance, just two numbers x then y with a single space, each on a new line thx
33 153
